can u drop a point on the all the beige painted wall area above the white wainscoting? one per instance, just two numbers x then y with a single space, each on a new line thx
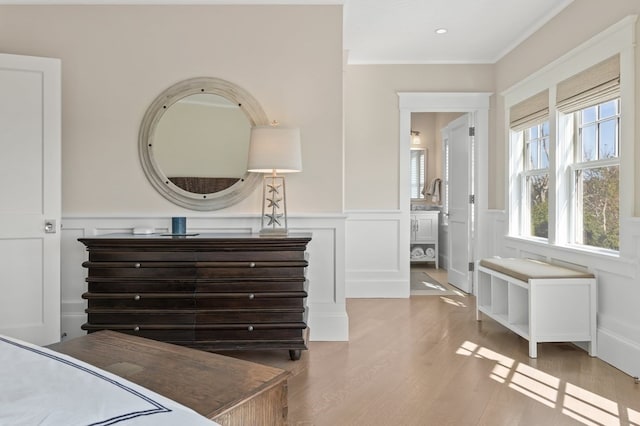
117 59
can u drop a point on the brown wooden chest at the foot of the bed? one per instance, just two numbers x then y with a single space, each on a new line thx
224 389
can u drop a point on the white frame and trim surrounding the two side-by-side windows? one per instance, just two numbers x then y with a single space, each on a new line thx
618 39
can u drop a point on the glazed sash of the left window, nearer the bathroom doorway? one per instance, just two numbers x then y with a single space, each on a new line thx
536 180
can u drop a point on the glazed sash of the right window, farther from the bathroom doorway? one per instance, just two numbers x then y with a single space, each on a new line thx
596 176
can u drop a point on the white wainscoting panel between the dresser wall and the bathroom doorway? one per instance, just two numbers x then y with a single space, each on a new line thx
377 254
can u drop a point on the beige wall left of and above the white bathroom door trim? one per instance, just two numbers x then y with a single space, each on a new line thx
372 123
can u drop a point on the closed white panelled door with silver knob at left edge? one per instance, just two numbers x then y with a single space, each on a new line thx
30 197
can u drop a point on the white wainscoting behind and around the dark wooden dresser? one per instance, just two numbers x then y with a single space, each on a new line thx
328 320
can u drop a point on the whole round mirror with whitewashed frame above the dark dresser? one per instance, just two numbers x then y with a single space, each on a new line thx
194 142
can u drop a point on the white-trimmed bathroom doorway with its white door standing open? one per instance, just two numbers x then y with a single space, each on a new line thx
462 179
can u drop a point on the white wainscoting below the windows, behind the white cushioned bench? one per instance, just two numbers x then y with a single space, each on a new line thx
618 334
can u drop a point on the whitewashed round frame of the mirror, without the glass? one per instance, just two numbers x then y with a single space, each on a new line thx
159 180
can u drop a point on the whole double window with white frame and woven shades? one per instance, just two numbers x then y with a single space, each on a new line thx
571 147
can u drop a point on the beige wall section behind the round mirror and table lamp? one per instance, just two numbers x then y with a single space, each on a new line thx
117 59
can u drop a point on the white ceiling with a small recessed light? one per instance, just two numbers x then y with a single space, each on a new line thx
403 31
